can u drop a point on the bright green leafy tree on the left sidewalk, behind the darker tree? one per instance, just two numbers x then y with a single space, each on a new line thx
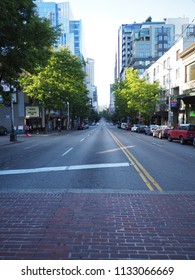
59 82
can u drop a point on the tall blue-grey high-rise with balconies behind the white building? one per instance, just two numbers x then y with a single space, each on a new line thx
141 44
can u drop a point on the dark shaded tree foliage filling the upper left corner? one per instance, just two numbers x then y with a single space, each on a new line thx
25 39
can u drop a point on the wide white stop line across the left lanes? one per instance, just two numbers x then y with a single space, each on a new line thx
64 168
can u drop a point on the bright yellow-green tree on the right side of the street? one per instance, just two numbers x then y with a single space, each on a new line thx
136 96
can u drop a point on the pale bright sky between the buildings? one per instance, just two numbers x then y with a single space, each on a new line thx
101 20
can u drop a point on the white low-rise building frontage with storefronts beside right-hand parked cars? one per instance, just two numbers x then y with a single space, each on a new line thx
175 72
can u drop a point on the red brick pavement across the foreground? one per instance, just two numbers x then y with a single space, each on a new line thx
93 225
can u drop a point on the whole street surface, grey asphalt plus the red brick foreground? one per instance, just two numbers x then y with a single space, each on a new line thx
97 194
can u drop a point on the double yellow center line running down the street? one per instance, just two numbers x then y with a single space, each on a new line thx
146 177
